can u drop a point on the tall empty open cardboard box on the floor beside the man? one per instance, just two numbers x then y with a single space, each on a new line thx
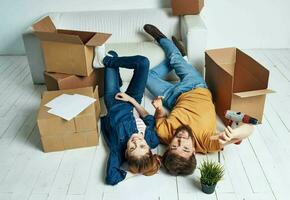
237 82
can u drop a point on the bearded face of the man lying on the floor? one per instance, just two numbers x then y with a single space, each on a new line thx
182 144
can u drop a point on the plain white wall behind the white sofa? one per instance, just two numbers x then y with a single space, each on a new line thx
241 23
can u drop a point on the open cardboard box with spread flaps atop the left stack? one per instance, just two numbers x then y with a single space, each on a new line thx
68 51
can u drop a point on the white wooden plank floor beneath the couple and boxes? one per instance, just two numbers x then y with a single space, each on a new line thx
258 169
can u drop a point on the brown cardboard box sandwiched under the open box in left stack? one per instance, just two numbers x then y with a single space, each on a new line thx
57 81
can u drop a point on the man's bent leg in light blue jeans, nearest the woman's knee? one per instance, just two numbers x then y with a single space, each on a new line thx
155 83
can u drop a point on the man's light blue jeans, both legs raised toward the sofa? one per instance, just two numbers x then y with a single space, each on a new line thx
189 77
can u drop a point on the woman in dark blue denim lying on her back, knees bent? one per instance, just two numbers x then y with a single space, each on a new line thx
128 128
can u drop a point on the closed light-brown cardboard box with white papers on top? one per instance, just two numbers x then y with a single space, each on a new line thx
58 134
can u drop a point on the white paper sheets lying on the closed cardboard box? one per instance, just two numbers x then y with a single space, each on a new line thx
68 106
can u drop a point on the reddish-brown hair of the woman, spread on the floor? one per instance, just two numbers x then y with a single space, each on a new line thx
147 165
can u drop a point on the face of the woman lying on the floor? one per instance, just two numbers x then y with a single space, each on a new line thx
137 146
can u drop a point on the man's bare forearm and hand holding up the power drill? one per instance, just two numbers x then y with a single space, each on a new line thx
229 135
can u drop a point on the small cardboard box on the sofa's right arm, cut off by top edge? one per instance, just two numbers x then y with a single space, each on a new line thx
186 7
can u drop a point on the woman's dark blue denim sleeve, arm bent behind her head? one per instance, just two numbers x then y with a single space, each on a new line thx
114 173
